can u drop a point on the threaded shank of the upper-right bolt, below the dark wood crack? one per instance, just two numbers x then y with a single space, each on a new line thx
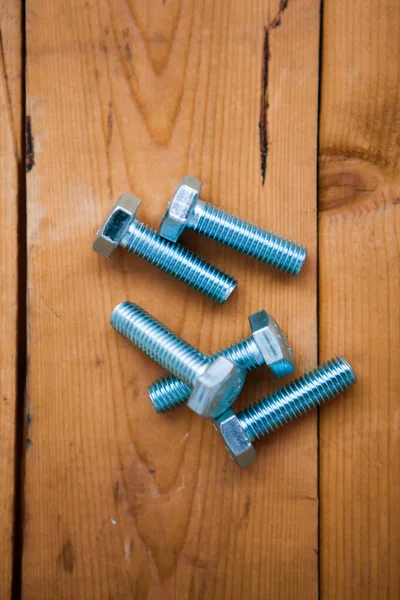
245 237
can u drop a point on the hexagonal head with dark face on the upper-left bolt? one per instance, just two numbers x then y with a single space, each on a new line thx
119 218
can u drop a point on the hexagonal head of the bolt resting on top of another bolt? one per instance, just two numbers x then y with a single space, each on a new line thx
216 388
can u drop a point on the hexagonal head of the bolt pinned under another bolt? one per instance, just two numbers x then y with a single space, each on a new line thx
272 343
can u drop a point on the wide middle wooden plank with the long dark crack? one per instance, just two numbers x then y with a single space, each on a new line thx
121 502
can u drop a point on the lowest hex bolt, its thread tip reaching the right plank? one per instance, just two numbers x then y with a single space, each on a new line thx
239 430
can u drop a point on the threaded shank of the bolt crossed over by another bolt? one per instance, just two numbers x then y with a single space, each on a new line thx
169 392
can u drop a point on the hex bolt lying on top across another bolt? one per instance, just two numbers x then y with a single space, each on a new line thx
216 383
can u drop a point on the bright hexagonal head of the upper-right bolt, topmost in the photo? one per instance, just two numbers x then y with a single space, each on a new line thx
183 200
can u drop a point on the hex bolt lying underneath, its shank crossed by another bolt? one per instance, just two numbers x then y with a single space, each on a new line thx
267 345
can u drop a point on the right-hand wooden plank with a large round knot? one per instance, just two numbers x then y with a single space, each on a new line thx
359 297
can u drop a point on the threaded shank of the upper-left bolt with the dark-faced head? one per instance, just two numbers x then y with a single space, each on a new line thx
177 261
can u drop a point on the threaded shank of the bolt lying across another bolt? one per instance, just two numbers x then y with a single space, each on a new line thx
158 342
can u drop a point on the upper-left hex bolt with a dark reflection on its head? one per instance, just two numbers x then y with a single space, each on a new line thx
121 228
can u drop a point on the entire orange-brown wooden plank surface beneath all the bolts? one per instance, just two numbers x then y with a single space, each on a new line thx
289 110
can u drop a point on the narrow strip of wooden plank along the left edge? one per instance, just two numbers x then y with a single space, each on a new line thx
10 106
